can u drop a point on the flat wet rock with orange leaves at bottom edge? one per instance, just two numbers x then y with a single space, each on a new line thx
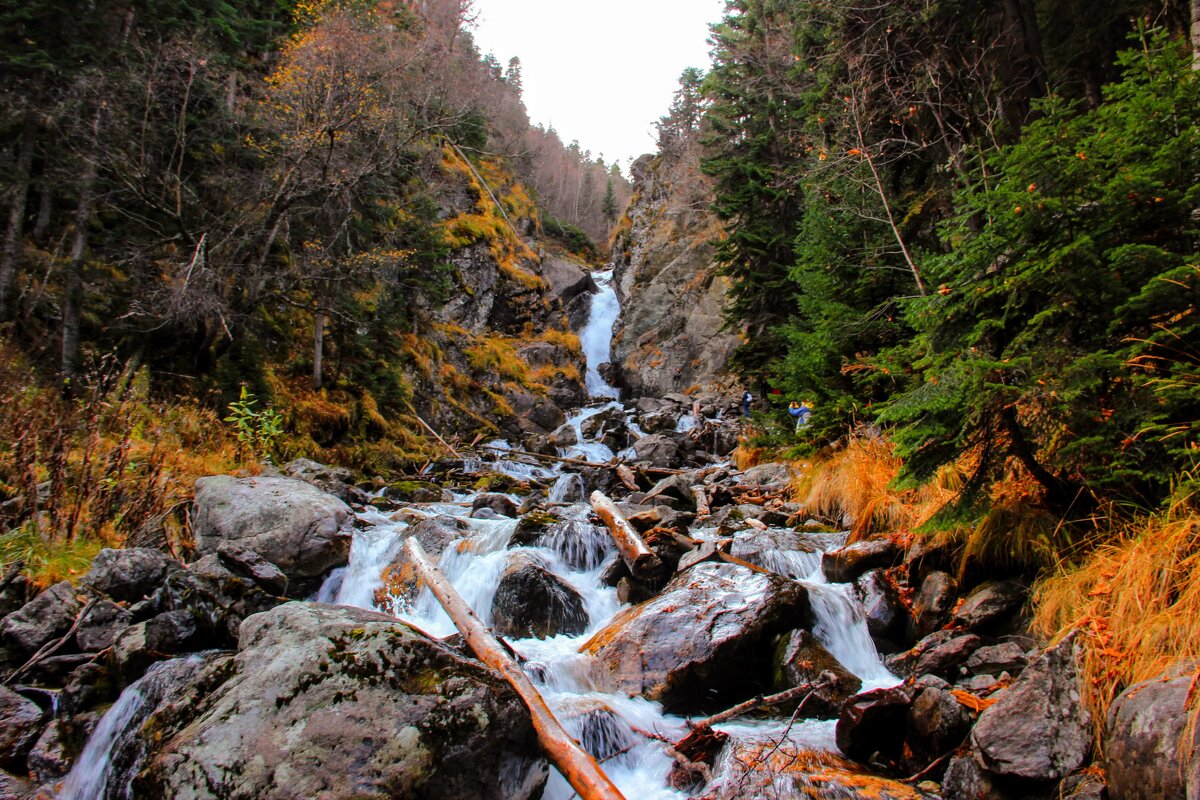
767 769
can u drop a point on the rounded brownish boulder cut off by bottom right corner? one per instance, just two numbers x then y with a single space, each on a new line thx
1143 738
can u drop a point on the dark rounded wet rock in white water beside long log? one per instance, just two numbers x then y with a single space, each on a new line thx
532 601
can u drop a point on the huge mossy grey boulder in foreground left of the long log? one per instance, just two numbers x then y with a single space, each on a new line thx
340 703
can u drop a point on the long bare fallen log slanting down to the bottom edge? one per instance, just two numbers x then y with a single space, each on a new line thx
577 766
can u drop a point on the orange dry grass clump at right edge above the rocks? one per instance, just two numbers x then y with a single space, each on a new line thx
1136 603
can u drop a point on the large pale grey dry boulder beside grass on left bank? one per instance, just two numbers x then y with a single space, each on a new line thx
292 525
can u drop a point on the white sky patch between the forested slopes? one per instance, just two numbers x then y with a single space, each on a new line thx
599 71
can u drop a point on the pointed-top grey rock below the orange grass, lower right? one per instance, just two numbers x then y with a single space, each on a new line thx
1037 730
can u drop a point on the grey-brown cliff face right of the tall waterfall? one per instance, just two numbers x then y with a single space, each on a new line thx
669 338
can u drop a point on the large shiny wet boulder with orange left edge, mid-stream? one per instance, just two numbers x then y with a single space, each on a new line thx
703 643
